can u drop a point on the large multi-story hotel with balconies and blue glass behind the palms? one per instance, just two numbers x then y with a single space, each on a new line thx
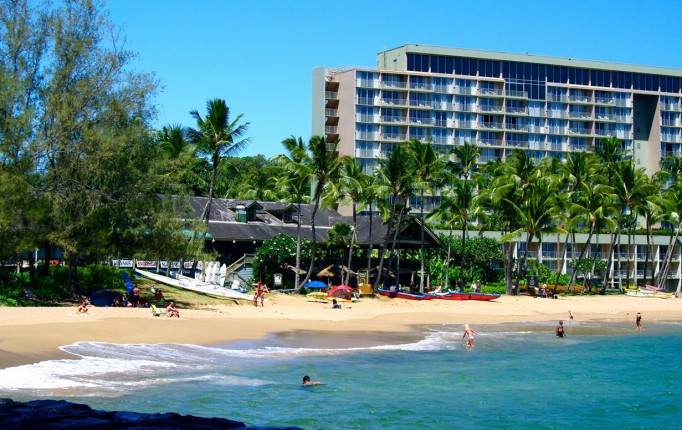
547 106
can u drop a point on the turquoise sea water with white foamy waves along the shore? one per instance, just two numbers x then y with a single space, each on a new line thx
602 375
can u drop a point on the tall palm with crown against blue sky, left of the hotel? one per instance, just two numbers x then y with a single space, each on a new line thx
216 136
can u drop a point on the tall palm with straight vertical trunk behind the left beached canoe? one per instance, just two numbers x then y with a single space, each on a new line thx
428 168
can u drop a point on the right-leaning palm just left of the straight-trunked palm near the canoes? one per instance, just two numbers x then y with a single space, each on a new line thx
396 180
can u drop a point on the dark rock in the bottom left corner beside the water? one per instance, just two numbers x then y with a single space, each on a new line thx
56 414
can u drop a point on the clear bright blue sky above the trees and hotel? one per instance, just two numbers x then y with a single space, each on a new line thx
259 55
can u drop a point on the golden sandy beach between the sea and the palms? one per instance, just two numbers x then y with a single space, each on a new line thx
34 334
